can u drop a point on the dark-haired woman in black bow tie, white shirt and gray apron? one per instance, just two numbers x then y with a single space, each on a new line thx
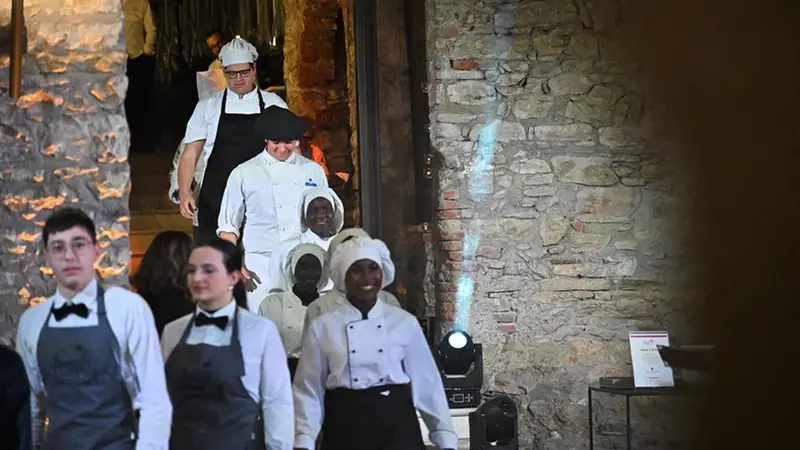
226 367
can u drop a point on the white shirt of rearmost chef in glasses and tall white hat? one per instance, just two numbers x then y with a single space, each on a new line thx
205 120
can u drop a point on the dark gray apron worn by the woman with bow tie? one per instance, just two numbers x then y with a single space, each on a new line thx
212 410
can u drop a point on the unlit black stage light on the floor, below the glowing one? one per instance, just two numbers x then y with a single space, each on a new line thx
494 425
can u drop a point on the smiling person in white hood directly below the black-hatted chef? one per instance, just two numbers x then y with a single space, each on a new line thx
321 218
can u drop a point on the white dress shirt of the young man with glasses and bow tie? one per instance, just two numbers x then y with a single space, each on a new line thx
142 368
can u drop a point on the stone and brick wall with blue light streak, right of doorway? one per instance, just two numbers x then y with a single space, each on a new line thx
558 204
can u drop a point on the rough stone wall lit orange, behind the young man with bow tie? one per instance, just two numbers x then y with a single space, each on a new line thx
64 142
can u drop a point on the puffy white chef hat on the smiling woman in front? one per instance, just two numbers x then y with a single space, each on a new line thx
355 250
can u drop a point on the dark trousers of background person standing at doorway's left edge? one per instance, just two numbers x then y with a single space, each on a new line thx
138 103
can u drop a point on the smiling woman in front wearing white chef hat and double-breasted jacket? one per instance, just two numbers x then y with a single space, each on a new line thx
360 362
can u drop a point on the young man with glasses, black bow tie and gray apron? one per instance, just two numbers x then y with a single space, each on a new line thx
91 354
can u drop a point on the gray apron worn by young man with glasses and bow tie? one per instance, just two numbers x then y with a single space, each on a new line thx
88 403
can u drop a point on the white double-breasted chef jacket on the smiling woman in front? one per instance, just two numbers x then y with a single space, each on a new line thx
342 350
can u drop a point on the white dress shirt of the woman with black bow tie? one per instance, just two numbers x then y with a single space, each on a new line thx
266 375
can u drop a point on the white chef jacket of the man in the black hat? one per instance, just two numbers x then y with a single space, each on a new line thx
266 193
